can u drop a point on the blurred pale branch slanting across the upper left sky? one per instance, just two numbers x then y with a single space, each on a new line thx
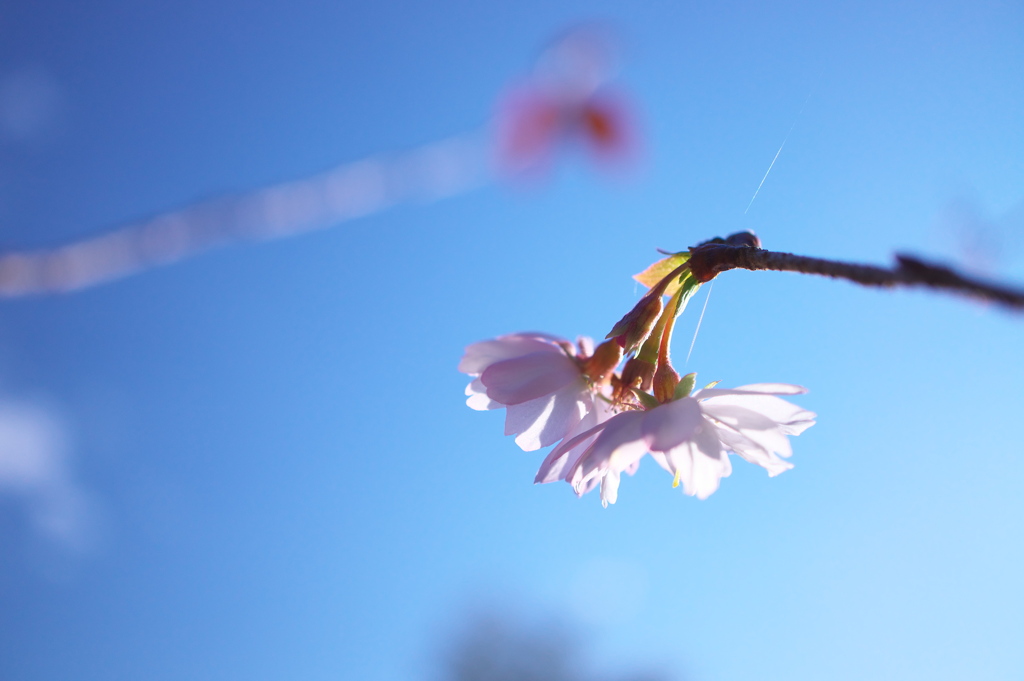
431 173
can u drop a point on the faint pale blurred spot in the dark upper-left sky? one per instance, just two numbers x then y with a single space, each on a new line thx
30 105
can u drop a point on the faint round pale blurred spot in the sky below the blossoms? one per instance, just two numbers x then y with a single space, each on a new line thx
608 590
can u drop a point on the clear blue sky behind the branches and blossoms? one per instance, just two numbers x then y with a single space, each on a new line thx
259 463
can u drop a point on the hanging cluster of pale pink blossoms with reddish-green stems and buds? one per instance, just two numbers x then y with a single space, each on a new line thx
605 419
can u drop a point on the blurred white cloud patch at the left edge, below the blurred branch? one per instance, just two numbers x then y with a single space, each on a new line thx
34 470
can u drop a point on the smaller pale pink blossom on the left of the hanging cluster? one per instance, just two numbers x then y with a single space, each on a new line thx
539 380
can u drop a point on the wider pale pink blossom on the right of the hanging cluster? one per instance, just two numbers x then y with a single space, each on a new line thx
691 438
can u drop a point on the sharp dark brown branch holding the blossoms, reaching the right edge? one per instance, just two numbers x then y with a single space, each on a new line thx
707 261
